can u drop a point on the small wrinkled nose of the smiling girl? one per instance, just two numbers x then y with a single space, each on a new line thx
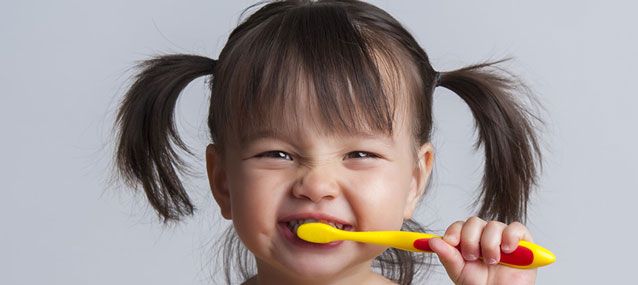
316 184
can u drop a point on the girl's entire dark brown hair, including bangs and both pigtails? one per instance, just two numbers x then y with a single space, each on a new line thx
354 61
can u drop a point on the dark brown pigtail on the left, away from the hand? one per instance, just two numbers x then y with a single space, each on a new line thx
145 126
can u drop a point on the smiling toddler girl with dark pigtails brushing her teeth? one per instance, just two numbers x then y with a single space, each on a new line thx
322 111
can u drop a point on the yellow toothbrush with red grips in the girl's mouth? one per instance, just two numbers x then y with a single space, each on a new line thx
526 256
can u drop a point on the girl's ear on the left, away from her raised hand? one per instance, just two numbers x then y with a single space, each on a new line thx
217 179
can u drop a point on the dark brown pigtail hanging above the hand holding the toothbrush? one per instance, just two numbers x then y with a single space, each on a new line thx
507 134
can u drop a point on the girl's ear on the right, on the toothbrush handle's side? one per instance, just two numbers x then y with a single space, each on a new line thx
420 177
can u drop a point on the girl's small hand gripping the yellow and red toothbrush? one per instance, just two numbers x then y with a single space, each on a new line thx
478 237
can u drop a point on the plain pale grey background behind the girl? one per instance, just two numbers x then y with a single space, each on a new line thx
65 65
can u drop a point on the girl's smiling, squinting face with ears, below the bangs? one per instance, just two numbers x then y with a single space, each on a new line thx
370 183
